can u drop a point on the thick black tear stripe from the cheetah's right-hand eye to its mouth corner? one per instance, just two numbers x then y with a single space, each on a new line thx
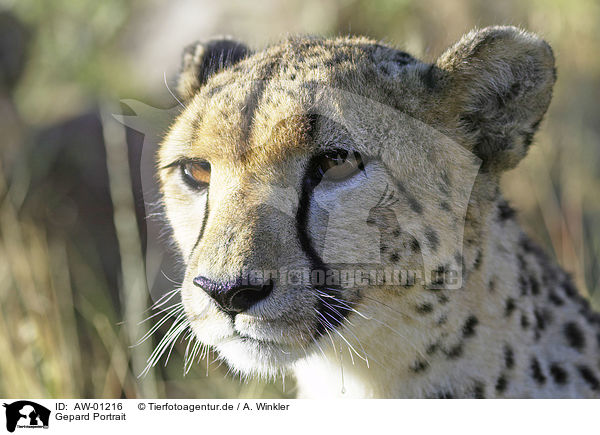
335 313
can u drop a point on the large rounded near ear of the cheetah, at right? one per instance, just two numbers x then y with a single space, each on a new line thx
499 85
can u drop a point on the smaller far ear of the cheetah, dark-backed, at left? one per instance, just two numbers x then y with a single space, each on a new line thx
203 59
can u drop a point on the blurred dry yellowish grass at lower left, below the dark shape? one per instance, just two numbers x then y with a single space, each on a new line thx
62 338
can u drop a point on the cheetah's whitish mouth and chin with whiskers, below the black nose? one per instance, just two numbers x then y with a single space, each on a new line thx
264 341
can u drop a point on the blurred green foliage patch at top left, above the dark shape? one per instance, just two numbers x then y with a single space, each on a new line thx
74 56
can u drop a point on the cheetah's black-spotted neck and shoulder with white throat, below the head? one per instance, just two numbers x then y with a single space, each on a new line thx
517 328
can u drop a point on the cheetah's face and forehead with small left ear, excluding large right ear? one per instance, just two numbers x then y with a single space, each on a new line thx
309 186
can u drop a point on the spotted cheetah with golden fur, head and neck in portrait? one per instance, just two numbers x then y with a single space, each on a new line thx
336 204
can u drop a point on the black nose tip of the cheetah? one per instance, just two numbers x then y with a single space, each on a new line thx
234 297
